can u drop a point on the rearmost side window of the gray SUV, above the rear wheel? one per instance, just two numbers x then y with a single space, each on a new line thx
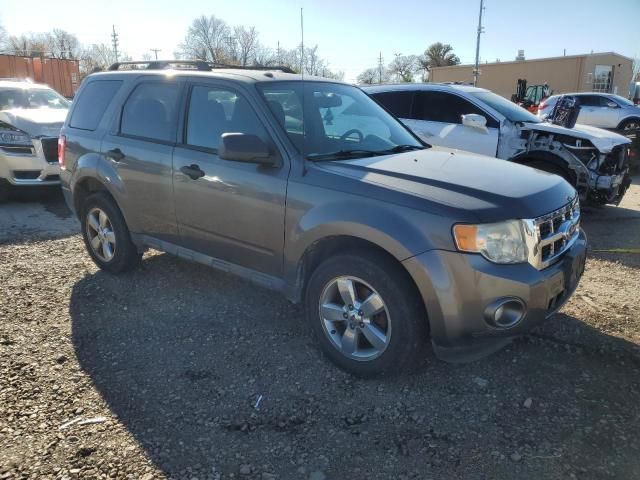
91 105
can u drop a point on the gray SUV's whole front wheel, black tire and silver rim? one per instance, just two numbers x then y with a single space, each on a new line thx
366 314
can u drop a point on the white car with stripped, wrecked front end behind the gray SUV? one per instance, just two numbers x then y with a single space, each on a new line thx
594 161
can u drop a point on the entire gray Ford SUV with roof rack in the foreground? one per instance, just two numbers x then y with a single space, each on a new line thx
310 188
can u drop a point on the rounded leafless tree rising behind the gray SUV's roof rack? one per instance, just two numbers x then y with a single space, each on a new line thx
206 39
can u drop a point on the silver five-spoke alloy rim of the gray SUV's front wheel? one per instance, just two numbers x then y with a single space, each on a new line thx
355 318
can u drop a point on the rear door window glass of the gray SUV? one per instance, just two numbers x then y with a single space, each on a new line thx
150 112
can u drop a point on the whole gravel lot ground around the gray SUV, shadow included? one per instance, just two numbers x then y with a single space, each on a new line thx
170 360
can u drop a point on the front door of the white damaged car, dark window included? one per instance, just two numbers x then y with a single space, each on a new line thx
437 119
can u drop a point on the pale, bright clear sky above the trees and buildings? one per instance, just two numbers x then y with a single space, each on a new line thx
351 33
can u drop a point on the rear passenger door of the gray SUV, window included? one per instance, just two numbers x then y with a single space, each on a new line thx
140 148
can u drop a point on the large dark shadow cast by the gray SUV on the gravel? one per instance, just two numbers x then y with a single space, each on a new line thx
181 353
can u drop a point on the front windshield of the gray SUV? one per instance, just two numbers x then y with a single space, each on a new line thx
338 120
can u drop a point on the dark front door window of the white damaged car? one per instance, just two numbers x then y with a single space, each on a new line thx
446 108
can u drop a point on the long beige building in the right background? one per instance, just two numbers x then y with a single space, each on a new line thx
596 72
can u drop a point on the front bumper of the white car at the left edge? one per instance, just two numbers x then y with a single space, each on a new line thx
25 167
